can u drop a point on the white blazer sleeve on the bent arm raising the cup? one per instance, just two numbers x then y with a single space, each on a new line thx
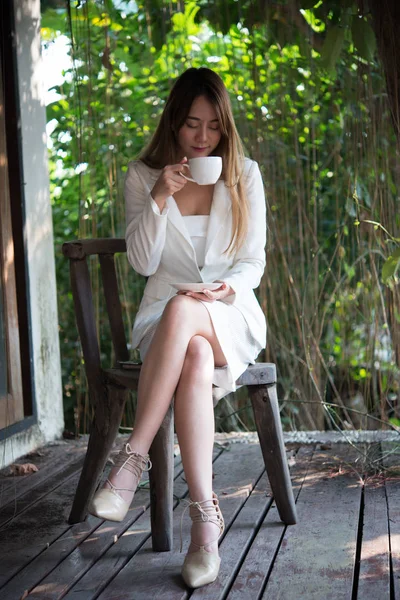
146 227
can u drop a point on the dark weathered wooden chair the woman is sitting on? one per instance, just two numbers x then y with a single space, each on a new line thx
109 389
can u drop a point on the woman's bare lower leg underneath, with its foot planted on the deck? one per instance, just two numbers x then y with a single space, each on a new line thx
194 422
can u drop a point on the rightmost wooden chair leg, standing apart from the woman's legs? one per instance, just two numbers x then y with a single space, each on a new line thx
269 428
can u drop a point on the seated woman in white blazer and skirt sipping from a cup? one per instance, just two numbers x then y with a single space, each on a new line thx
191 343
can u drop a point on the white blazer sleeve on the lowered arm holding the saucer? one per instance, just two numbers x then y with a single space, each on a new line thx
249 263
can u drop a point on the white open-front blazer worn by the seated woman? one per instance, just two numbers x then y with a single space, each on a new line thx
159 247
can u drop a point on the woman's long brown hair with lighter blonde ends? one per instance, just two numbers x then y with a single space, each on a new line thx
163 148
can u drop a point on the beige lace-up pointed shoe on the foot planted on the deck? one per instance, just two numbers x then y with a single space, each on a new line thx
202 567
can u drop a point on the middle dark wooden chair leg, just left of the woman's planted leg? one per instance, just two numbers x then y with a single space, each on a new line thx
162 485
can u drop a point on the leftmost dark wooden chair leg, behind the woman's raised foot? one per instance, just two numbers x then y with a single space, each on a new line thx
107 418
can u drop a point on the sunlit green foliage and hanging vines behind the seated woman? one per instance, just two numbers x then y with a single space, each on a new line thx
309 102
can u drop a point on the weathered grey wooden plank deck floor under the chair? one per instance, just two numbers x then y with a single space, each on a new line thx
345 545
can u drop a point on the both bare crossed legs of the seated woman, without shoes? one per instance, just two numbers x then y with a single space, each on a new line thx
180 361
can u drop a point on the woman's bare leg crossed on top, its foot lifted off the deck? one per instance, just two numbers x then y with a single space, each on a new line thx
183 318
